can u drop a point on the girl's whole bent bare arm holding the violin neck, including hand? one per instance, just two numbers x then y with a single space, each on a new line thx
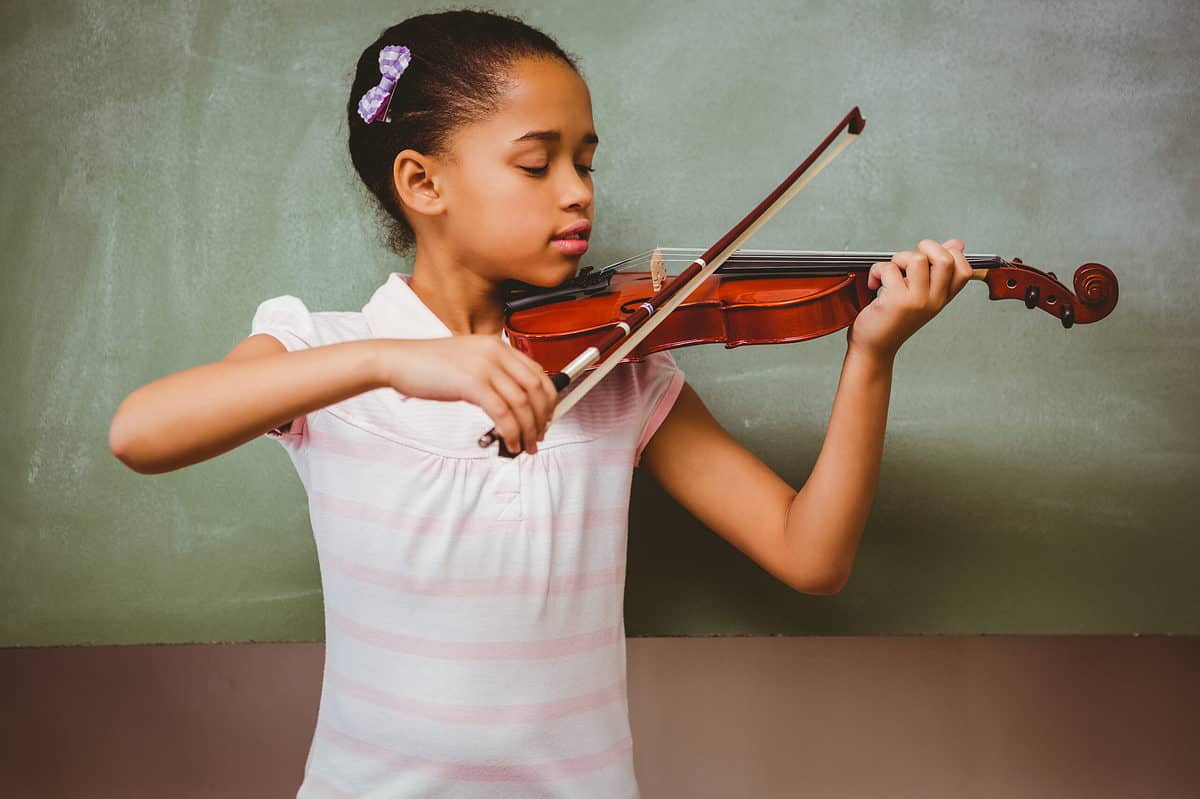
808 538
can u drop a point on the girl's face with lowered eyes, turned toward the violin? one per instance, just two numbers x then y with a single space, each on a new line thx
523 177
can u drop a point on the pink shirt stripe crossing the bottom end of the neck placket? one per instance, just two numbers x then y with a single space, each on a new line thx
471 525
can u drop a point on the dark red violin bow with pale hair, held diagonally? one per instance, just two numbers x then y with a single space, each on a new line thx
639 323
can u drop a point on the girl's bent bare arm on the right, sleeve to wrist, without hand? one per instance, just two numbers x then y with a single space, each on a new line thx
807 539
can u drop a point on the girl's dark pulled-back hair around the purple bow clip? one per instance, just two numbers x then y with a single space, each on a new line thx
460 62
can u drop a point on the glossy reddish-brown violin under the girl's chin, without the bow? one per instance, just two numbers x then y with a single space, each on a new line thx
763 297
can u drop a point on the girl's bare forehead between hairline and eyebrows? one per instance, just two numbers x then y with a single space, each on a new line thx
542 95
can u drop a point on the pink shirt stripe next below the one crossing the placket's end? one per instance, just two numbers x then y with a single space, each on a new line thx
513 586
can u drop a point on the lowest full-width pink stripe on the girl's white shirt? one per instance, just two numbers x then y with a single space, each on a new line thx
470 773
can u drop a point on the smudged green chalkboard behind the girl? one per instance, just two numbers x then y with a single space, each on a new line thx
166 167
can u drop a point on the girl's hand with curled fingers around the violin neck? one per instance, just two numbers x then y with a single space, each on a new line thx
916 285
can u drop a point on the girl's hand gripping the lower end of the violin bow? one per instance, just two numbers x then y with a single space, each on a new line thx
507 385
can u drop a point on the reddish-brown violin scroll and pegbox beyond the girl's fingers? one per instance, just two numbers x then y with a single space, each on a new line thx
1095 297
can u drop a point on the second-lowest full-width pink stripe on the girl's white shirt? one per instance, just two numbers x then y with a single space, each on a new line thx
481 714
